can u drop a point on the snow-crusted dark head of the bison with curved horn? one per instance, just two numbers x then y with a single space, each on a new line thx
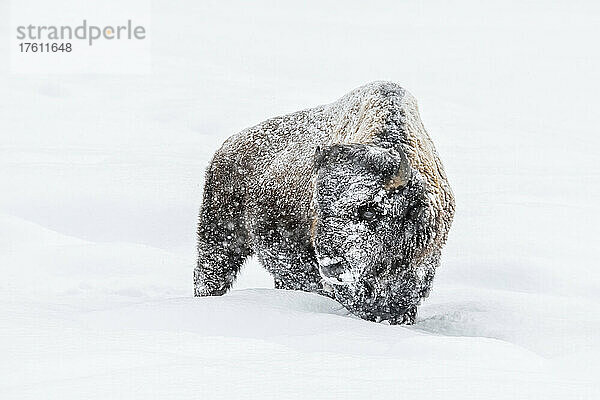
370 231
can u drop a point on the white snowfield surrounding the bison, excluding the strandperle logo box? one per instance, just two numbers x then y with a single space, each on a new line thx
101 179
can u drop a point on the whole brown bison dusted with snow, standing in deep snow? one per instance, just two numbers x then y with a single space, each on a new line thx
349 200
